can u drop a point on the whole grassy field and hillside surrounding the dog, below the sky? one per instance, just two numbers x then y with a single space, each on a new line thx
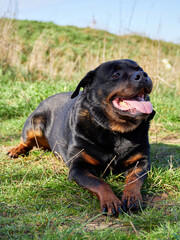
37 201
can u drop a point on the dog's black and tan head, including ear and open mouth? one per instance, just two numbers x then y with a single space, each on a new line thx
118 95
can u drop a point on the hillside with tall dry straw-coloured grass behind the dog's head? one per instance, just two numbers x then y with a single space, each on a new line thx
54 50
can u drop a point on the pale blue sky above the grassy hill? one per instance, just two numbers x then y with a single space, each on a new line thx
157 19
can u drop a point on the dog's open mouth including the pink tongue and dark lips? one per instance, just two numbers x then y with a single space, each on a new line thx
133 105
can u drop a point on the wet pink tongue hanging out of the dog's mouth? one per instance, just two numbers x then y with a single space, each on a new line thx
134 104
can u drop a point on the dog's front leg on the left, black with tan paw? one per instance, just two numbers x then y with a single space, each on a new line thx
81 171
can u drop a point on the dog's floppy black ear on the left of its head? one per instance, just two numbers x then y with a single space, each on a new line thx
86 81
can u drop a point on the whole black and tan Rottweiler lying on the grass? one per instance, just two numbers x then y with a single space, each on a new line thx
104 126
